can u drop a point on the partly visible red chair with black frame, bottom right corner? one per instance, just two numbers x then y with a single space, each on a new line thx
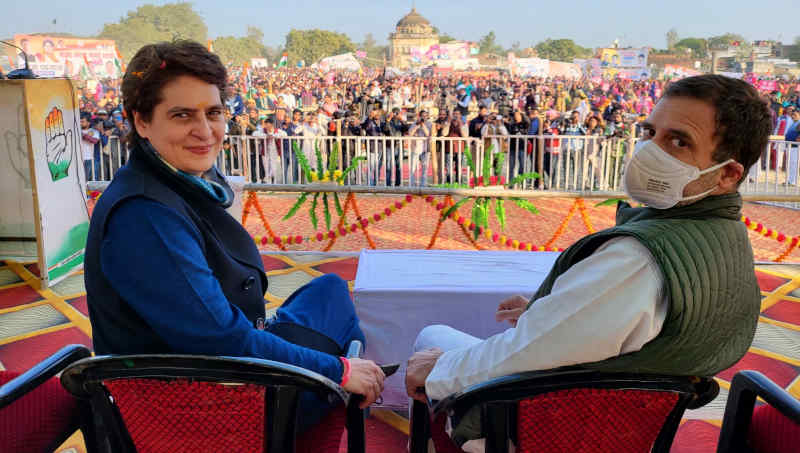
773 427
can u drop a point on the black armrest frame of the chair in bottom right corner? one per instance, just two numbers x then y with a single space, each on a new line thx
746 386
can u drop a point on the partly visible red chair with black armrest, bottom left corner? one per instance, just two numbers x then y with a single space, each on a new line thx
36 413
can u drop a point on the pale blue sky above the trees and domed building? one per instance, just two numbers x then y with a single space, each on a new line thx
592 24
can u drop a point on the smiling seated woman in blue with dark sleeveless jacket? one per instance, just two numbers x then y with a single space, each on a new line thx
168 270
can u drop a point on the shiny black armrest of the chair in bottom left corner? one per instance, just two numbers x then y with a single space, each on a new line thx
41 372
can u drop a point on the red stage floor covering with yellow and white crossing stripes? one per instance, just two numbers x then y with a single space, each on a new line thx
36 323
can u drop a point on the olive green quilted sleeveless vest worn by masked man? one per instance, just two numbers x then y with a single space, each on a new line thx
707 265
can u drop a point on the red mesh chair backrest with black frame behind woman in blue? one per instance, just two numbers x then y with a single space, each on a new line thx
176 403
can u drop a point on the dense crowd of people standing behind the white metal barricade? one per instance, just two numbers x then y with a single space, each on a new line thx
274 104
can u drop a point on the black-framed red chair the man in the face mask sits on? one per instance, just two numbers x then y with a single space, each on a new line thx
575 411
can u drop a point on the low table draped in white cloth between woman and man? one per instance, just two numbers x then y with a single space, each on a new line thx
399 292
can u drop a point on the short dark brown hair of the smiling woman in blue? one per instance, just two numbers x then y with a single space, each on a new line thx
155 65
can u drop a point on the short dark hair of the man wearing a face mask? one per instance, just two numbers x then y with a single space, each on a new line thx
743 120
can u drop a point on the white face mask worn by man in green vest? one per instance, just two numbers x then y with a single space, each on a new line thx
657 179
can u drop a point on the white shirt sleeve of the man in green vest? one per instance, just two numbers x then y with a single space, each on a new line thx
609 304
